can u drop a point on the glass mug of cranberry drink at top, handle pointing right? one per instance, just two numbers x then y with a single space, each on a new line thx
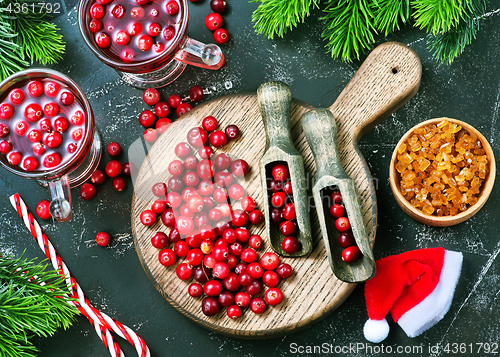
145 41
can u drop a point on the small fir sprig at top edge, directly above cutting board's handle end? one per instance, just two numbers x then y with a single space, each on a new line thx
389 14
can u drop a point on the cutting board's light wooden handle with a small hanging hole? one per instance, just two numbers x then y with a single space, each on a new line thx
386 80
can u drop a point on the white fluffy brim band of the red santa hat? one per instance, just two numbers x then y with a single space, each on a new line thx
432 309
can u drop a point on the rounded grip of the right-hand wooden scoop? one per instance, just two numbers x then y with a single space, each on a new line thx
321 133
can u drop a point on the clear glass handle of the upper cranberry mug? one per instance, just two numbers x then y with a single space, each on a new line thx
198 54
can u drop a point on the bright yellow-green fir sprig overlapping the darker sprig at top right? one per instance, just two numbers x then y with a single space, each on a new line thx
438 15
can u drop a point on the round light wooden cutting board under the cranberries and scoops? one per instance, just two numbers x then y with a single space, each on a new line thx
388 78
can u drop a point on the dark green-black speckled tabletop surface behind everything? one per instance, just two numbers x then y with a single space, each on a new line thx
113 278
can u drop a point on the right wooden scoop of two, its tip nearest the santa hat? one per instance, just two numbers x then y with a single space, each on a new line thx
320 130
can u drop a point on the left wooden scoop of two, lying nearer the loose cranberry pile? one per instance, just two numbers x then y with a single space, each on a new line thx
275 102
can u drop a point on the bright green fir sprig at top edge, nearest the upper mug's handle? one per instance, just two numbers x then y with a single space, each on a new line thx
276 17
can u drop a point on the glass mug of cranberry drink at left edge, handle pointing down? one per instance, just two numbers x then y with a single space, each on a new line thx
47 133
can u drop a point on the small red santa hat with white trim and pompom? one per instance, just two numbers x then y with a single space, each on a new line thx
416 287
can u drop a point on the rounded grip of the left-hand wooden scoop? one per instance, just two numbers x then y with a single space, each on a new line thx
275 104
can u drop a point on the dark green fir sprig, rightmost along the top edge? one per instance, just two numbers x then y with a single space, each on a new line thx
446 46
